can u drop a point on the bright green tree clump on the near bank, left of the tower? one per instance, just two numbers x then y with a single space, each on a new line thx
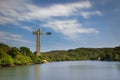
11 56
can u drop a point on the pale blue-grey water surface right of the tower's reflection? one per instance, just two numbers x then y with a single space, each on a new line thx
81 70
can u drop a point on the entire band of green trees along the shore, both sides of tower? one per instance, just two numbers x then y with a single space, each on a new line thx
12 56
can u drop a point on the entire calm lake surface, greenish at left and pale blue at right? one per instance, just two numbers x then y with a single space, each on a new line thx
73 70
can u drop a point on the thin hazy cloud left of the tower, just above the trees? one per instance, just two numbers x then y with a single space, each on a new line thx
7 36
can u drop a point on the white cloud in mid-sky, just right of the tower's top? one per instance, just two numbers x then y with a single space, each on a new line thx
69 28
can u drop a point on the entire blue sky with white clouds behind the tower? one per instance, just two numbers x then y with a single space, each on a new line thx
73 23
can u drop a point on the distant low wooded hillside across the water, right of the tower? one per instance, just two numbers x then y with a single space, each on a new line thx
104 54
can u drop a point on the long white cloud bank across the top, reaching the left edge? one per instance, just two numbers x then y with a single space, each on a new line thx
22 10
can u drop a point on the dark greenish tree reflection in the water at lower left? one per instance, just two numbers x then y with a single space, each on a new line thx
14 73
